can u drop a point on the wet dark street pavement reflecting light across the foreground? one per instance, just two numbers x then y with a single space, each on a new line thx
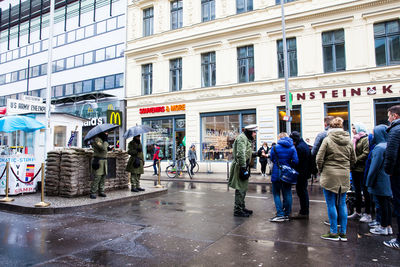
191 225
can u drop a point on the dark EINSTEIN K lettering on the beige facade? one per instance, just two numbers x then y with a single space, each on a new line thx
386 89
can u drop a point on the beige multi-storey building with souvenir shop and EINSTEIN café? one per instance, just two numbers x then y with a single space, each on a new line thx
200 70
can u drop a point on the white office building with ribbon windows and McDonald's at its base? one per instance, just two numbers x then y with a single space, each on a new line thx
88 58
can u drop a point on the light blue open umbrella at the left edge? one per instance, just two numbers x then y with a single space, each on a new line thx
14 123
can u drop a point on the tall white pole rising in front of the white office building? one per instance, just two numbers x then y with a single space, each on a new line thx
49 72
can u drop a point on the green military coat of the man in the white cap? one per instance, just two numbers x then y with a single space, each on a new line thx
242 153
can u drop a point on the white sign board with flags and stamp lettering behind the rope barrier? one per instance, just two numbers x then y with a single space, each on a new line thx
24 174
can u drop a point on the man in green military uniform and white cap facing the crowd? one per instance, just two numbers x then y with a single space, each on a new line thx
240 169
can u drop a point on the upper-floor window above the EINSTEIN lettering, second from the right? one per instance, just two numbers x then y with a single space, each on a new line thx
333 51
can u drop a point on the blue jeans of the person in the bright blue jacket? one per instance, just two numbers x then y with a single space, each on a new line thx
286 189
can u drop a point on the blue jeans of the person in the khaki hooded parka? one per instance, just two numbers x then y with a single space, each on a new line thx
331 199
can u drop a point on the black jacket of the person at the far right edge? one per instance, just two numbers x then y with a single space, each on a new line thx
392 154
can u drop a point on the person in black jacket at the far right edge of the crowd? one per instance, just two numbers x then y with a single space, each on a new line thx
392 167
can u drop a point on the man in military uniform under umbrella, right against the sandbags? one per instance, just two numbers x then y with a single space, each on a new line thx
99 164
